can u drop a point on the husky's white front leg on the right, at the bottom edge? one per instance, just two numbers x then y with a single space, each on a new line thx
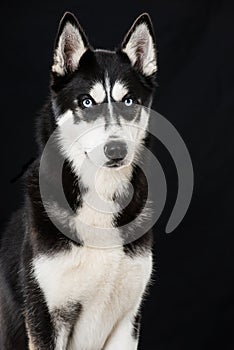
124 335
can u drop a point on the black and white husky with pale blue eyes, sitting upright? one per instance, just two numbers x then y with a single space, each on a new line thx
83 290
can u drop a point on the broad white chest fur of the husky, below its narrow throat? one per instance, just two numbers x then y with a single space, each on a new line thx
108 284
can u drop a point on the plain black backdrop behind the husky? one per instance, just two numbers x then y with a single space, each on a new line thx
191 303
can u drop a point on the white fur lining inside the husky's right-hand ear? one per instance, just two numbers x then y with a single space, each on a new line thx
141 39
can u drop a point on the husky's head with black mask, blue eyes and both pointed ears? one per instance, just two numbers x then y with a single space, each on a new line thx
103 94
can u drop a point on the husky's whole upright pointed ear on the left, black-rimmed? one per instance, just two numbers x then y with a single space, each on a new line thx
70 44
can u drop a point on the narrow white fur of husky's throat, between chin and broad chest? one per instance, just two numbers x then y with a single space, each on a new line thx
94 220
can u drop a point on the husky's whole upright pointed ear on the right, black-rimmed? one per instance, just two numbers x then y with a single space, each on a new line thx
139 45
